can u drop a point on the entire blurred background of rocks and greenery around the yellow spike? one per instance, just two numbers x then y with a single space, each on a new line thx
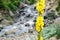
18 17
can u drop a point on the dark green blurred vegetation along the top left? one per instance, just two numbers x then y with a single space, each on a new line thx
12 4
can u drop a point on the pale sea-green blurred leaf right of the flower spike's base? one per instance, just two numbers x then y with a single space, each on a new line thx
49 31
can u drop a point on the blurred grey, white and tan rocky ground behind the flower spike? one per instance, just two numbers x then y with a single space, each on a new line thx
23 25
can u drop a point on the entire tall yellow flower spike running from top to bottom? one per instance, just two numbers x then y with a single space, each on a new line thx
40 20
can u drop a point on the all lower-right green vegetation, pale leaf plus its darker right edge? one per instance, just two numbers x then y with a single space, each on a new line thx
51 30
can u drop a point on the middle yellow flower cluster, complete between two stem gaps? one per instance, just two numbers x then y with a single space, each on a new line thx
39 23
